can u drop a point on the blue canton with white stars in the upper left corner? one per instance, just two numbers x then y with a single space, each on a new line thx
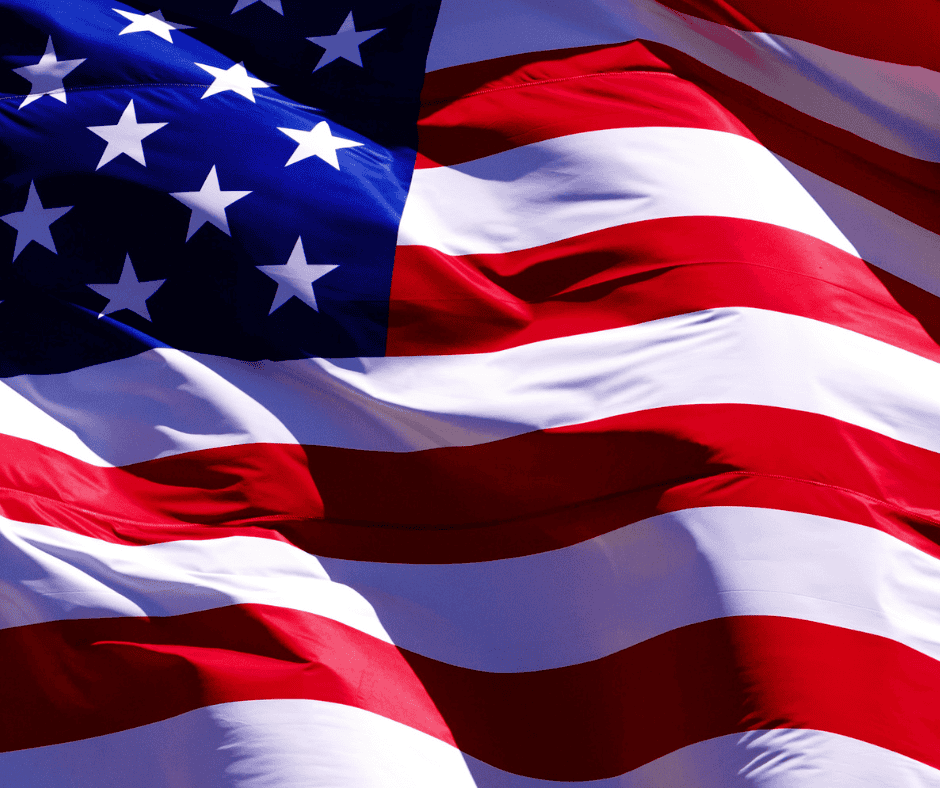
222 177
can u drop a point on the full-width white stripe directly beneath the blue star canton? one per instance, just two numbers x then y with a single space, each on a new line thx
165 402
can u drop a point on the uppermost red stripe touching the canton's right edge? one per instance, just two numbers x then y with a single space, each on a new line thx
577 90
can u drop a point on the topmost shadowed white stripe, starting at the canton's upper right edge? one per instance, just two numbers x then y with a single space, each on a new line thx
892 105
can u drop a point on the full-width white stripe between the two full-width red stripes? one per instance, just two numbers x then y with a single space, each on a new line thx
559 608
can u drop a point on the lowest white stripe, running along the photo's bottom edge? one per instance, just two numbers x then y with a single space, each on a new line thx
302 743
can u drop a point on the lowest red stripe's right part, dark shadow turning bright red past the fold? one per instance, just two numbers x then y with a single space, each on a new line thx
603 718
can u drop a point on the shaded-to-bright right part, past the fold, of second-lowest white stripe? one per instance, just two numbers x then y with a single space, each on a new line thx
596 598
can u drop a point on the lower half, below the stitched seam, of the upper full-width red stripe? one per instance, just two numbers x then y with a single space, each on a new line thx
522 536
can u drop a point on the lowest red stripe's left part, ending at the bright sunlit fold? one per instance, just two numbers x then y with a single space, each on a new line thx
70 680
